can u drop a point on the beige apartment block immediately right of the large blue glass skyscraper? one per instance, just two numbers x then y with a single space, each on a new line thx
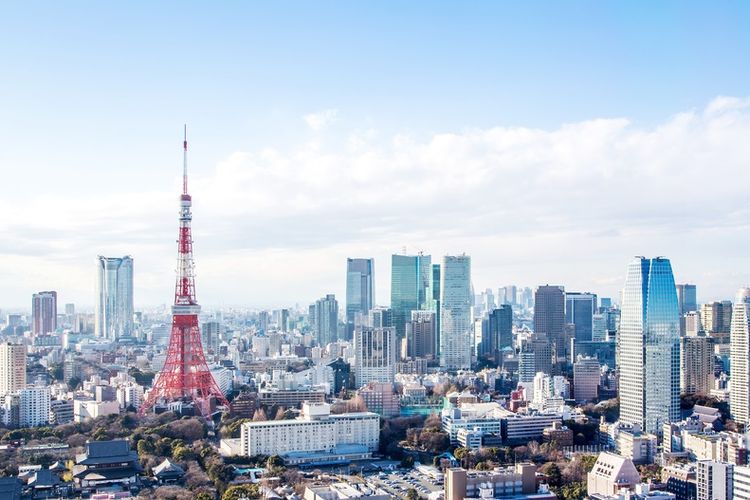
696 365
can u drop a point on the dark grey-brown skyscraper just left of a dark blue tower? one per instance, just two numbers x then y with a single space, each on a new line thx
549 318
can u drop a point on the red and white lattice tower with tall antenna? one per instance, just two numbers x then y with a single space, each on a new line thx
185 375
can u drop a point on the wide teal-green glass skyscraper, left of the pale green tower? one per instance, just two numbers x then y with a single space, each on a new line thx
411 276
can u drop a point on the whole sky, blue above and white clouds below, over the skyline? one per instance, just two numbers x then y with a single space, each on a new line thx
479 154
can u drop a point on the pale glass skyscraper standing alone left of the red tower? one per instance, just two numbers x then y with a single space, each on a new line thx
114 304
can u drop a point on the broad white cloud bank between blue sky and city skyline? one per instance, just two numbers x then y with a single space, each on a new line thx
273 227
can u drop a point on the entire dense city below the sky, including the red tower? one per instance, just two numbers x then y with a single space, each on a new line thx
444 393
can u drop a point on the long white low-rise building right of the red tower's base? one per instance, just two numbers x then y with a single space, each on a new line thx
315 431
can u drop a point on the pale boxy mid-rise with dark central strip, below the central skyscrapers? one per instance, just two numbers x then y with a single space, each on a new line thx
374 355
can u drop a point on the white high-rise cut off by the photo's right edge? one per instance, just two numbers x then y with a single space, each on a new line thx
739 395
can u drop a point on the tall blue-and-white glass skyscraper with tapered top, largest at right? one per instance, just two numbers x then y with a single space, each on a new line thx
649 345
